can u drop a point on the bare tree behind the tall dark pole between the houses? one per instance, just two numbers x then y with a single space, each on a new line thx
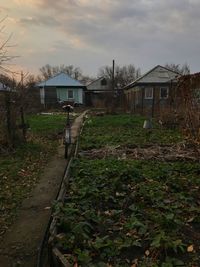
123 75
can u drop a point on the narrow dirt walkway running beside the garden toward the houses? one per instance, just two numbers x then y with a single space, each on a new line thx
21 242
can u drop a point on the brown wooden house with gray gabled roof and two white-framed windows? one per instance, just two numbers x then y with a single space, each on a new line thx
152 91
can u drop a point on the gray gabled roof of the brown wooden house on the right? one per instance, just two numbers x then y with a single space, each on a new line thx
158 75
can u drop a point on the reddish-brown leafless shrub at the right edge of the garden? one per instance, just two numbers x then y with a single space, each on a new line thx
185 111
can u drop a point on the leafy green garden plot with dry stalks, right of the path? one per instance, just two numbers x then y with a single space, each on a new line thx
128 207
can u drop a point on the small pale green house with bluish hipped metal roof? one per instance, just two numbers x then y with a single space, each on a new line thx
61 88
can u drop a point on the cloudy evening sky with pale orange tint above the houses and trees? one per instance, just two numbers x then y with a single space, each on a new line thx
91 33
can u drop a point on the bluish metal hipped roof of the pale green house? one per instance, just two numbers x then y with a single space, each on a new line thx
61 79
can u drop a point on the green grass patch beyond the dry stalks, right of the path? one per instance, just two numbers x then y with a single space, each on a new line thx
124 130
